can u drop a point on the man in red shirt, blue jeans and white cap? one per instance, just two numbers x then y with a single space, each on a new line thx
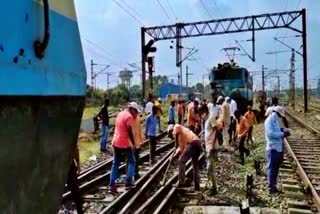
123 145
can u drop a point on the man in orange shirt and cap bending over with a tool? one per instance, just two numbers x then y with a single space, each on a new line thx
188 145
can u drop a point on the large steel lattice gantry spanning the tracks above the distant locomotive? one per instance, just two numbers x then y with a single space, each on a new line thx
230 25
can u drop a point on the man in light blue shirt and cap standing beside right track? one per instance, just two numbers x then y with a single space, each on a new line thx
274 137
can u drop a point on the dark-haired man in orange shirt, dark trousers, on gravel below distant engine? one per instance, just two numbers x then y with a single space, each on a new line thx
242 133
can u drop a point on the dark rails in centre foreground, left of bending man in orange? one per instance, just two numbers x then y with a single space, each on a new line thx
150 196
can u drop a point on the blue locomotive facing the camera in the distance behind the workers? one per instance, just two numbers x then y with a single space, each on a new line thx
230 80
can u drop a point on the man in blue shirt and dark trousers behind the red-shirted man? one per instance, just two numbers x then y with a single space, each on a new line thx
150 132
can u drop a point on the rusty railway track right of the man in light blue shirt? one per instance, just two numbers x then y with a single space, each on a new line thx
303 154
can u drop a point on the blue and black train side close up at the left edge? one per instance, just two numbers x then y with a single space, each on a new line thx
42 93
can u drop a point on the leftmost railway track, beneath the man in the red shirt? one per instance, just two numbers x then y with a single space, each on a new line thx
94 181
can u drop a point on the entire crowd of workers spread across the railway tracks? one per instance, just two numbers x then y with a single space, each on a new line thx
211 126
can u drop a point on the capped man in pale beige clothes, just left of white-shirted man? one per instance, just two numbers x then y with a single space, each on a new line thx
225 118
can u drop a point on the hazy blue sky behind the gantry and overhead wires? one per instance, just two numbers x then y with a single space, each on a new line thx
110 32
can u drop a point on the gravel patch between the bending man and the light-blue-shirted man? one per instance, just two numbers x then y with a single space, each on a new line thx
231 177
